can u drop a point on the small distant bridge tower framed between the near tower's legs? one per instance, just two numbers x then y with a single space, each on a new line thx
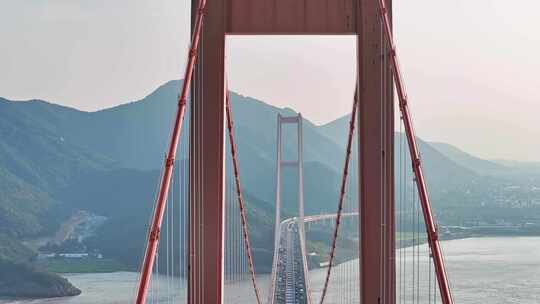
280 164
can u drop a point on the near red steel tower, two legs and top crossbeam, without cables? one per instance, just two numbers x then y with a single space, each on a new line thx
270 17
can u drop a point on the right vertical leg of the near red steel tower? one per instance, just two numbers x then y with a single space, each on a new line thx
376 159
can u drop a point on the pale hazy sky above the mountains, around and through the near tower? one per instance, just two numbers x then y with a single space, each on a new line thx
471 66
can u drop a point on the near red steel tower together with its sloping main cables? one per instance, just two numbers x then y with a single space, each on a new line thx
369 21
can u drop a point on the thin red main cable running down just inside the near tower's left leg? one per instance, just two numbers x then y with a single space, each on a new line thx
243 216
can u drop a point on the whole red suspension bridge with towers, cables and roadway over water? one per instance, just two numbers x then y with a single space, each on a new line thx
382 246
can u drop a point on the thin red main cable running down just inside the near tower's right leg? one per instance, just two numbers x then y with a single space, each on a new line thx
342 194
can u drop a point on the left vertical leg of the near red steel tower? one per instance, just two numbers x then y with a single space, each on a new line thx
207 162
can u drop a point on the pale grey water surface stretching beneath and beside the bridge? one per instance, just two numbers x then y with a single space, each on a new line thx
482 270
